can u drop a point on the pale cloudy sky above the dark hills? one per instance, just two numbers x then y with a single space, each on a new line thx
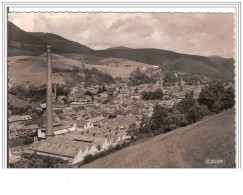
201 34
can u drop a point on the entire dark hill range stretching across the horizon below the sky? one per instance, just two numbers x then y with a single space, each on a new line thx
33 44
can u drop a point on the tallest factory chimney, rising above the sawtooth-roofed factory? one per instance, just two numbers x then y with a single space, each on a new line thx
49 112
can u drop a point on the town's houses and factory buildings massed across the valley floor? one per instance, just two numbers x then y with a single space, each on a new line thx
94 120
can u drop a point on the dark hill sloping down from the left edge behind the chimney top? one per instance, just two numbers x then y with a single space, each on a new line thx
34 43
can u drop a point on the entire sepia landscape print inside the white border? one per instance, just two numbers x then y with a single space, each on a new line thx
121 90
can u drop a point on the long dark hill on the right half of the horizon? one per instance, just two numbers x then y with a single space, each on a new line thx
215 69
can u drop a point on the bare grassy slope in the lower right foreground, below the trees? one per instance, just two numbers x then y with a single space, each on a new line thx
211 138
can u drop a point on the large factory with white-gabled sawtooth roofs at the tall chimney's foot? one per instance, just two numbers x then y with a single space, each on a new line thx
74 142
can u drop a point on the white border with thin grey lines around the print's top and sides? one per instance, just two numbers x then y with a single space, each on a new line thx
212 7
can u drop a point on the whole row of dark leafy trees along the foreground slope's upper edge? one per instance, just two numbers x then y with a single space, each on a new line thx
213 99
